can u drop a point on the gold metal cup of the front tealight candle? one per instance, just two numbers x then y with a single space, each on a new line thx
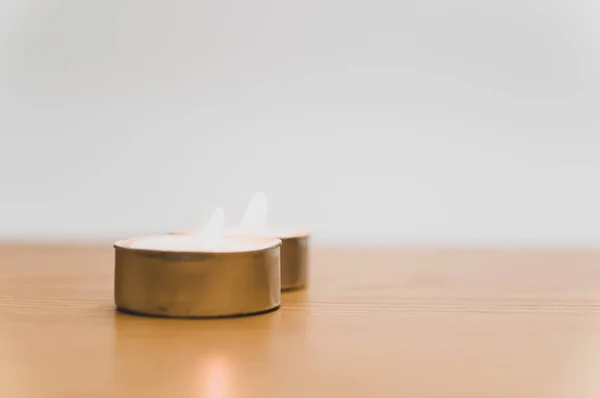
197 284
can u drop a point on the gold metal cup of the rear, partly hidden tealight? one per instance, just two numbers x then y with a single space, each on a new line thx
294 258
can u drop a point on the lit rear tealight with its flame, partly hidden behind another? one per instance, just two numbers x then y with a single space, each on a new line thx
294 248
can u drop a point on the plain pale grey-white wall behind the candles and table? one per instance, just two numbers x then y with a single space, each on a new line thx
390 122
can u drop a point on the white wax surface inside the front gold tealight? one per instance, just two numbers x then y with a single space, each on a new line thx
194 243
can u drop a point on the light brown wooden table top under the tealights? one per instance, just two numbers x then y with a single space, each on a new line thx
408 323
